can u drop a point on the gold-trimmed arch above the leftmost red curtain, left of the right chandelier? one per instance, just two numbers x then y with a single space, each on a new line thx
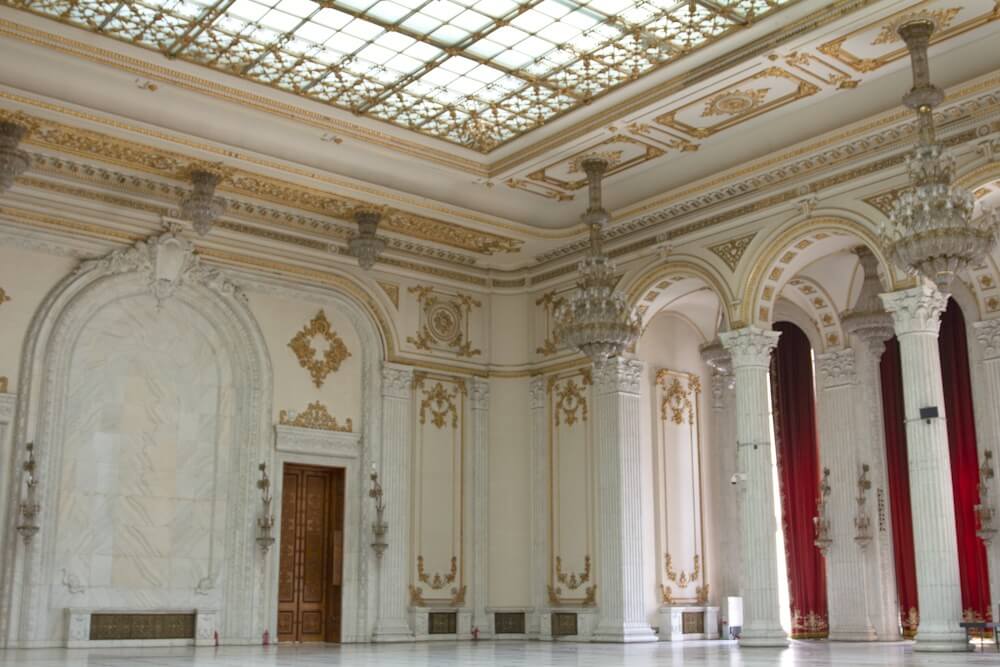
792 247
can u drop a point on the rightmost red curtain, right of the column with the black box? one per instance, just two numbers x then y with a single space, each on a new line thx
972 563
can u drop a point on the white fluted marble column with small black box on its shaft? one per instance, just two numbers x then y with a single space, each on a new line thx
916 316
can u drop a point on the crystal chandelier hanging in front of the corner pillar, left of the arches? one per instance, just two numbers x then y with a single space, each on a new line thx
596 319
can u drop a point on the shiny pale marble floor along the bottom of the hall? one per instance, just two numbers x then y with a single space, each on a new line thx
502 653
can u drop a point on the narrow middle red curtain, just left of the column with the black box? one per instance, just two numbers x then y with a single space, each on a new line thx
897 467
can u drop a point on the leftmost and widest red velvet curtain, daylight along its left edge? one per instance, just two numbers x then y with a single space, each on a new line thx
793 395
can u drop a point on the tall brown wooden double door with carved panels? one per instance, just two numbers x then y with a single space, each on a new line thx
312 554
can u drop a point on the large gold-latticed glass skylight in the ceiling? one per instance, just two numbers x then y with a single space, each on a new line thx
475 72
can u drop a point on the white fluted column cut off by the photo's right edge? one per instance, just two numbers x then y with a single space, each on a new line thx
988 337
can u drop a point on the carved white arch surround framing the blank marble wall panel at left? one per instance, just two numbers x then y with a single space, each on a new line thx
165 268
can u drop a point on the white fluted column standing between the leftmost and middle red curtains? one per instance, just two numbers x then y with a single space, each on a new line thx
847 589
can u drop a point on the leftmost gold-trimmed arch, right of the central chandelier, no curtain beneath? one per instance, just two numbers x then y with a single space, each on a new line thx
664 282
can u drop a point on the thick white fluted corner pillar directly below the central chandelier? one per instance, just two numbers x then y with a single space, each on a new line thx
620 590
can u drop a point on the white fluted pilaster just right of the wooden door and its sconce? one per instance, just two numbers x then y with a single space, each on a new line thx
392 623
